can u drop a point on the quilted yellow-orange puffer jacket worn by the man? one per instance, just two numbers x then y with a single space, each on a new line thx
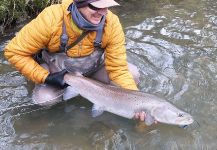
45 31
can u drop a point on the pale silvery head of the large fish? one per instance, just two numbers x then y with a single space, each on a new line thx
169 114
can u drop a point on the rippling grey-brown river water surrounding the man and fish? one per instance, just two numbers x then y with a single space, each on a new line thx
173 42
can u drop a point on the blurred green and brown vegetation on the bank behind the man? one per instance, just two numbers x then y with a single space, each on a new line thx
12 12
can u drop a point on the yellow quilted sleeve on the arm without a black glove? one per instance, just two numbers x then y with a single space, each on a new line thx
116 58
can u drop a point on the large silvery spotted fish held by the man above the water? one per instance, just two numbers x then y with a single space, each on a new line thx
125 102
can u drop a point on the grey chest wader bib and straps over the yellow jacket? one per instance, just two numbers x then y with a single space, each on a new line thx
86 65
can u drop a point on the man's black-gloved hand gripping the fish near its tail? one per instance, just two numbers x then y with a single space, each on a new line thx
56 79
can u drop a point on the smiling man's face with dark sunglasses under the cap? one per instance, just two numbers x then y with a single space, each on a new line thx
93 14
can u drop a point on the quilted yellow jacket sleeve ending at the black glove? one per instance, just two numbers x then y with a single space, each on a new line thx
31 38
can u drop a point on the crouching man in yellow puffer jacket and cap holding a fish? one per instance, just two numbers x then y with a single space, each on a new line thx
79 29
